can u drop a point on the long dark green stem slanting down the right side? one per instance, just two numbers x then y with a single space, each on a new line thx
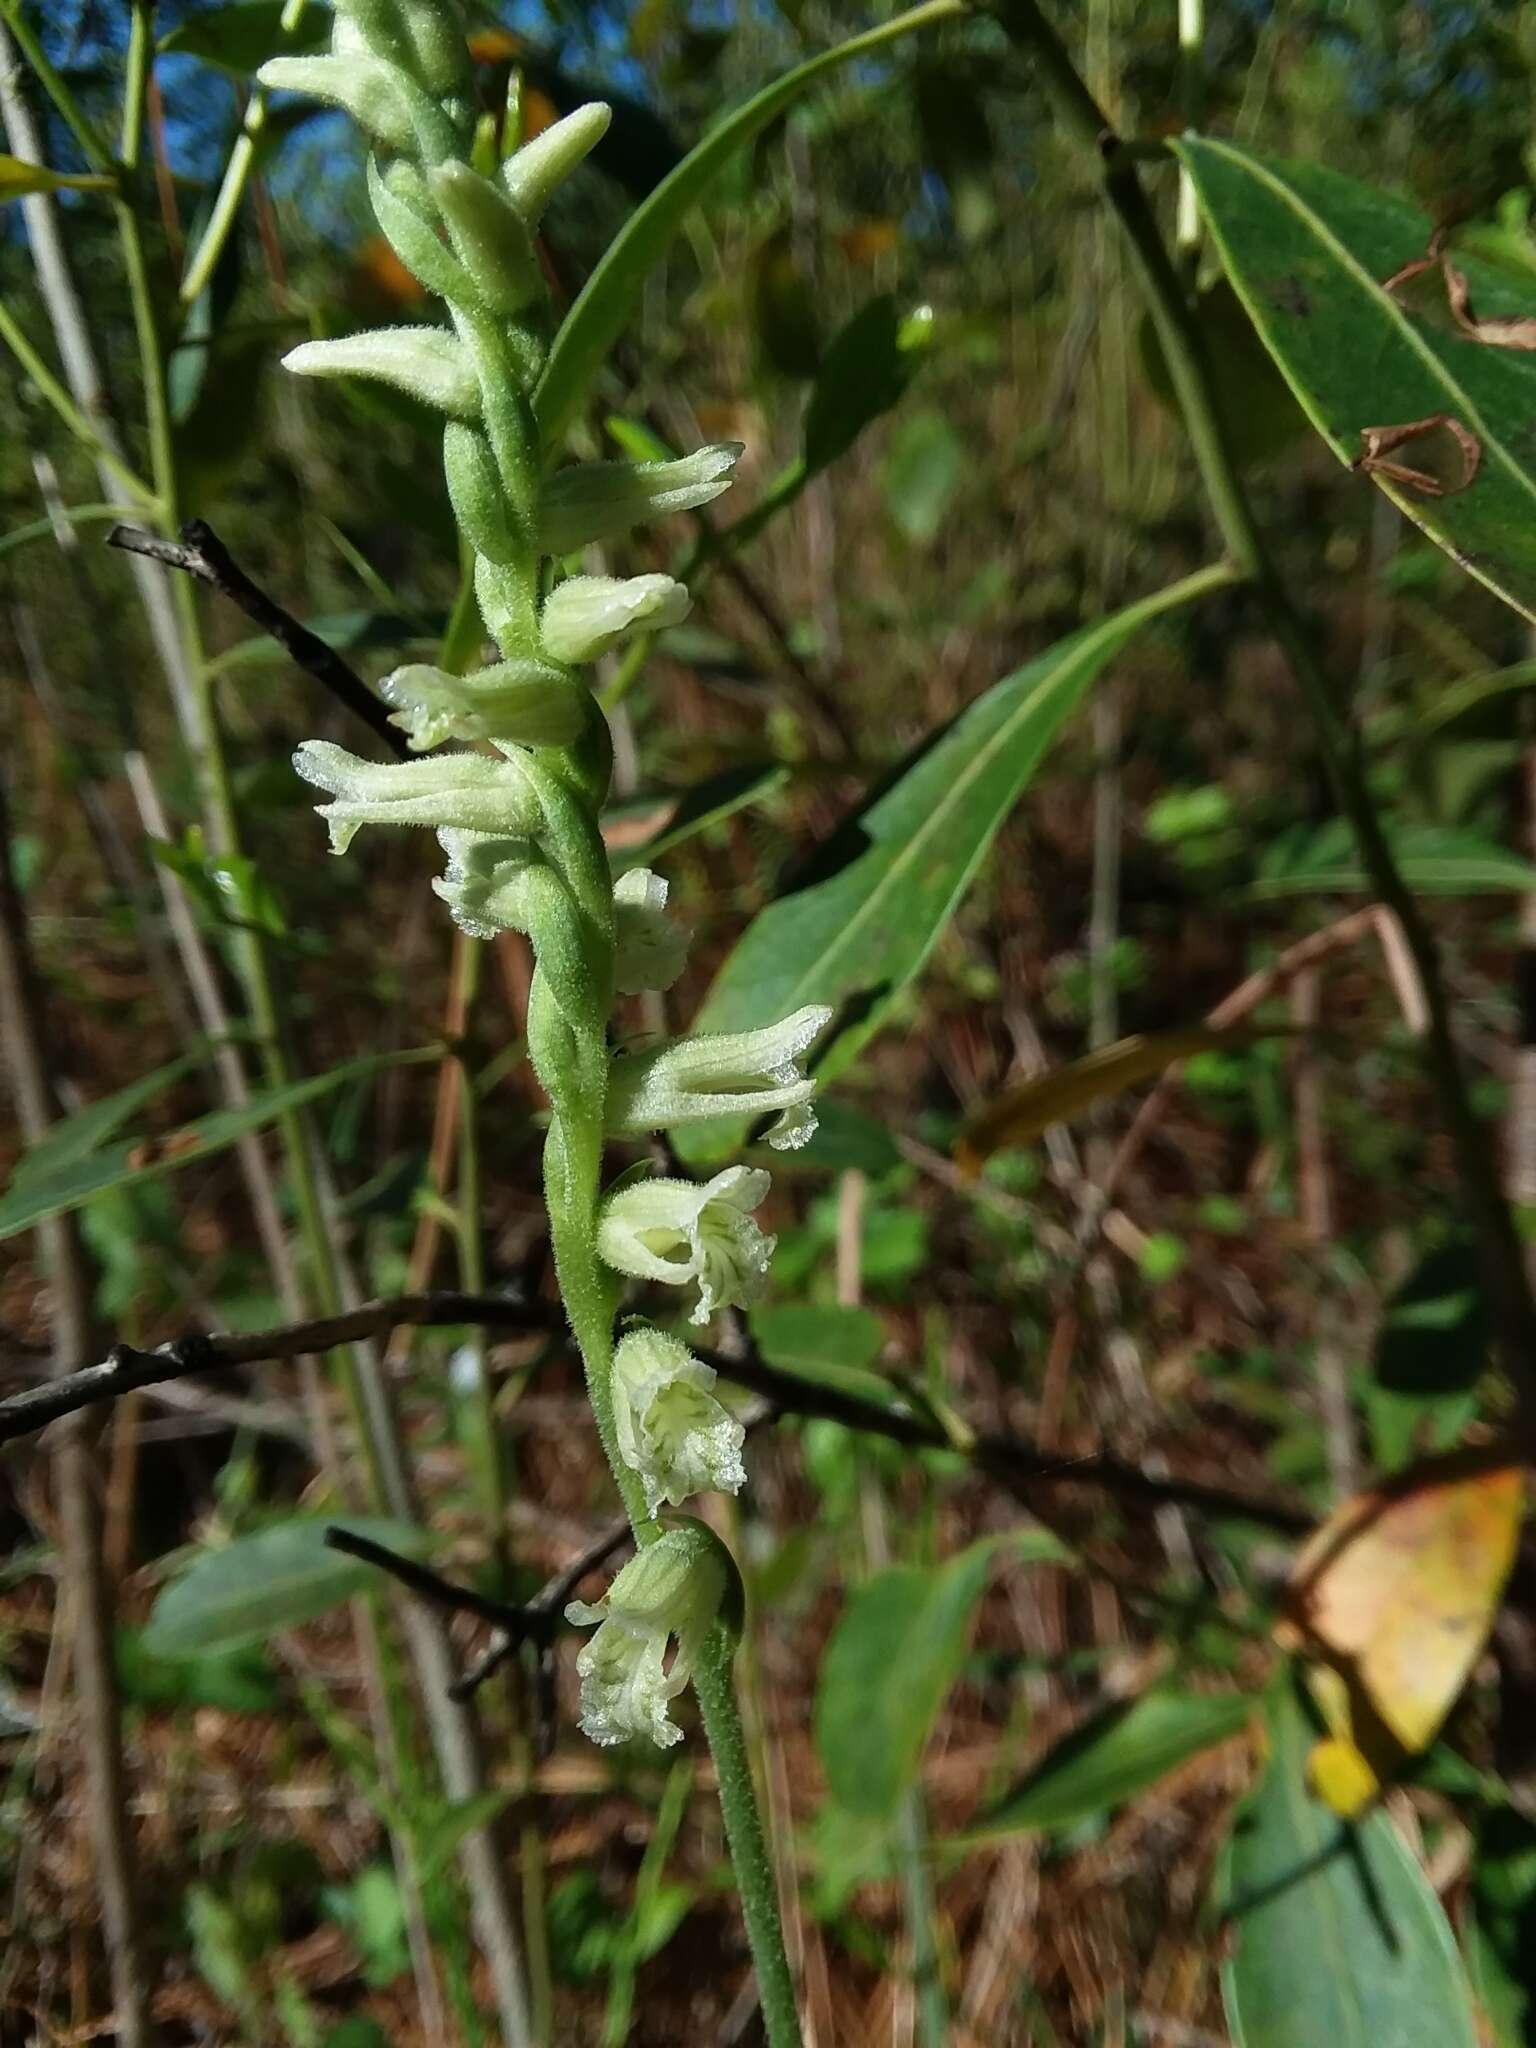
1185 351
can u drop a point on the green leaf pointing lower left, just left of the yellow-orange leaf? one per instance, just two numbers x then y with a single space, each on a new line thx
1113 1758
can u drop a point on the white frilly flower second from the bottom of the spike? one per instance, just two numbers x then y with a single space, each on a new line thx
669 1422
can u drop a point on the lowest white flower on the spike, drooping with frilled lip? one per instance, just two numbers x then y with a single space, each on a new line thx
673 1588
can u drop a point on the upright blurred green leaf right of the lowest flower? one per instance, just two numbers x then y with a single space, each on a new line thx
890 1664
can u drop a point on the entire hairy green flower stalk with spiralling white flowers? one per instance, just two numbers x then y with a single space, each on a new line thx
511 769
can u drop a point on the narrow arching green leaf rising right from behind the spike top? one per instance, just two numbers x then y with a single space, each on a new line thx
613 292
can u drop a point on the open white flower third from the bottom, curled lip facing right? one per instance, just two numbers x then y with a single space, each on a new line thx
681 1232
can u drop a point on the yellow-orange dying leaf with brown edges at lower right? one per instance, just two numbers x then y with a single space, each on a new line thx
1392 1605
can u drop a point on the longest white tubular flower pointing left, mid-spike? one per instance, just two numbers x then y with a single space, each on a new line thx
450 790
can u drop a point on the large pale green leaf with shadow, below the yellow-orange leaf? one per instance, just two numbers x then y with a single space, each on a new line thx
1334 1932
